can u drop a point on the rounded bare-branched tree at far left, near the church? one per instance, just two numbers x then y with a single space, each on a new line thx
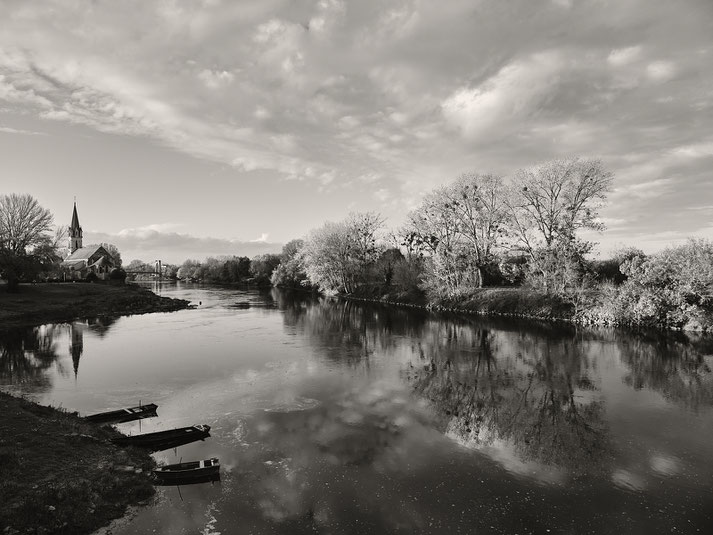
24 224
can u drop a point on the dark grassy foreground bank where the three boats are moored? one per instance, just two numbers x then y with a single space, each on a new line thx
61 474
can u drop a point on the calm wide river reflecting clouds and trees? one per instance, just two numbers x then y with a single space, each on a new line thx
337 416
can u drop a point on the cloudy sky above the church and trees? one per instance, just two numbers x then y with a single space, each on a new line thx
188 129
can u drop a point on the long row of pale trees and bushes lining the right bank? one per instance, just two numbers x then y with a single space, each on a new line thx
521 232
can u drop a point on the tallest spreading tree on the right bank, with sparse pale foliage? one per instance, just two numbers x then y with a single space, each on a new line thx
548 205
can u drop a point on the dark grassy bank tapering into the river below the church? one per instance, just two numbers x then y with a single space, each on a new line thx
45 303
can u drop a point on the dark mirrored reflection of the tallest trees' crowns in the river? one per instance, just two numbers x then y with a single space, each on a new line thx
527 390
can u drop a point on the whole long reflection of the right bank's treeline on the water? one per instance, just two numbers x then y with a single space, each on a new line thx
532 389
